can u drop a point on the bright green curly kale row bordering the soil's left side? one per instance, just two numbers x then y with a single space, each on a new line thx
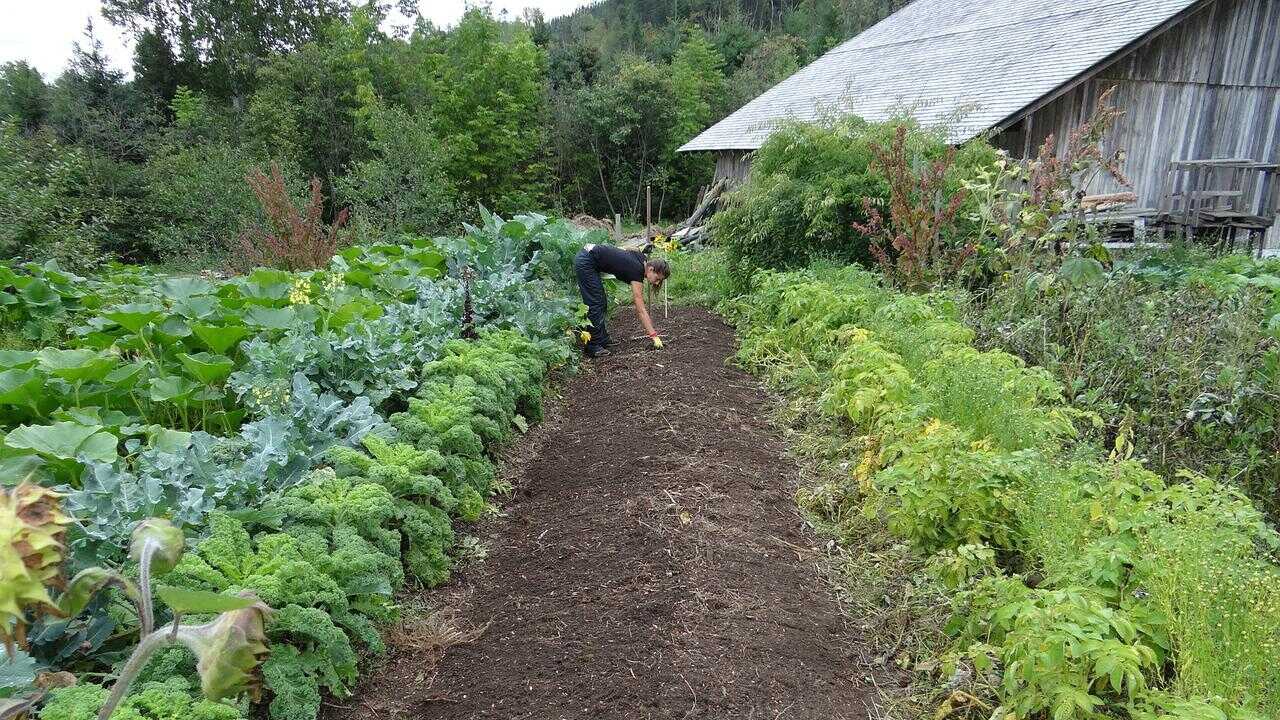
363 525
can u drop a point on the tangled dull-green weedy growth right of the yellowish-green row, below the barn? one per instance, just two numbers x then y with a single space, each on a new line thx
1185 370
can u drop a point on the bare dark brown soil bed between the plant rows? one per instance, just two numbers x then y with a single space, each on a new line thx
652 564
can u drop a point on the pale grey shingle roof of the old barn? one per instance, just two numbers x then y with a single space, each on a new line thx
963 65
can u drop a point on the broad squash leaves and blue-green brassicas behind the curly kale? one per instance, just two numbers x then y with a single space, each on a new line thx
268 371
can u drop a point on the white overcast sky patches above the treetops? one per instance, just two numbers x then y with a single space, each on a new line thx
43 31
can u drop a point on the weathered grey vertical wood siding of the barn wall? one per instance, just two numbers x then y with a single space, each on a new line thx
1208 88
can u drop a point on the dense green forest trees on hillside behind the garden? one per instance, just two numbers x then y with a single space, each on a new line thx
406 126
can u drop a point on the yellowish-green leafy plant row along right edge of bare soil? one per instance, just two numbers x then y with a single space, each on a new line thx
1086 587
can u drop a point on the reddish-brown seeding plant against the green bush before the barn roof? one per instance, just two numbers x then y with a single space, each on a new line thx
911 244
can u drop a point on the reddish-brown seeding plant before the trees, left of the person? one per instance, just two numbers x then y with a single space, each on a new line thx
290 239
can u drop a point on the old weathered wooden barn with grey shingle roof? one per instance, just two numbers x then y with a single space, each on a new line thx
1199 83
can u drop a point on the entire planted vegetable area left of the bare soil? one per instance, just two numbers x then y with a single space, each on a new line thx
313 502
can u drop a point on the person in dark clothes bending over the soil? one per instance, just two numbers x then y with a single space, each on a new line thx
629 267
